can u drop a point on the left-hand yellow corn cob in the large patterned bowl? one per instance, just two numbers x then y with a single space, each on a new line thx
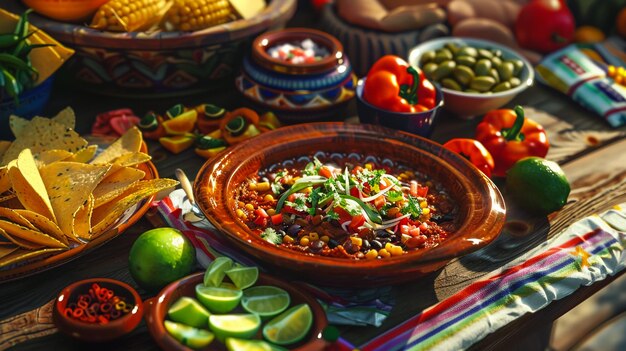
130 15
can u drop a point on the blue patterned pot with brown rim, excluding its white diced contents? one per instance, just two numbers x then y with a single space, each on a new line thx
297 92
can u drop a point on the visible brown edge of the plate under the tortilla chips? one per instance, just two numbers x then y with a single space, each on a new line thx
66 256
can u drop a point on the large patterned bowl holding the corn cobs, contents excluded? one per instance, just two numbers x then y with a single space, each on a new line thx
160 63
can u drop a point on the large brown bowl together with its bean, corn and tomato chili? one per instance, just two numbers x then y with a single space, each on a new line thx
349 205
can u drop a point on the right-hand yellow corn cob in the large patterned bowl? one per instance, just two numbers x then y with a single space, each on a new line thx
192 15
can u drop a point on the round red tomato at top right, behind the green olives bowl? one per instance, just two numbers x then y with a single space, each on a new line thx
544 25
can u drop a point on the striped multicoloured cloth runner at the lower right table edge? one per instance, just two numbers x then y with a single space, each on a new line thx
586 252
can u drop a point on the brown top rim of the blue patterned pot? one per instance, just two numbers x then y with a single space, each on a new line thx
265 41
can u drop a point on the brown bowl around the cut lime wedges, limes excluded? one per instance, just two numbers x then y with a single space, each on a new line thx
156 310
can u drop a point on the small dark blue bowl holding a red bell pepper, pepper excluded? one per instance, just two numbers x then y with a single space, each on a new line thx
420 123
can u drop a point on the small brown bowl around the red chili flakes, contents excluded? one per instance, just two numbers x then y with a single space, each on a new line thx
111 330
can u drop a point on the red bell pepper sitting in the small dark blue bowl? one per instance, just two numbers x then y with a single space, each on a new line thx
392 84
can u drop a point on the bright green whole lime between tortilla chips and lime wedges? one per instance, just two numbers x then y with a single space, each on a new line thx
159 257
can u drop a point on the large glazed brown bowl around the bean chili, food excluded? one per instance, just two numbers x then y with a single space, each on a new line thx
479 220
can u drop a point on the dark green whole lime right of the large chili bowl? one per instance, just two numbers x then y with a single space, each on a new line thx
538 185
